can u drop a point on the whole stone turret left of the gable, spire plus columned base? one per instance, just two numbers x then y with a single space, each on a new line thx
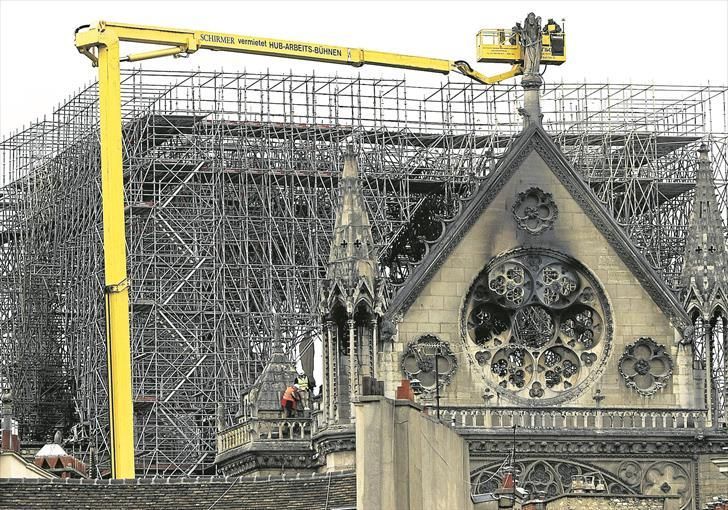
350 304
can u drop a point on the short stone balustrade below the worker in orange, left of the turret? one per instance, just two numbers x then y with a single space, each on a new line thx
255 429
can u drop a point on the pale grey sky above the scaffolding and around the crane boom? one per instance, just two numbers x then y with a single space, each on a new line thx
666 42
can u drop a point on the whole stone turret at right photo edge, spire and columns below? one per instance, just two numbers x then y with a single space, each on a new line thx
704 286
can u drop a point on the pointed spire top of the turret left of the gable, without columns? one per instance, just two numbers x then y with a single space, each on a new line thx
352 258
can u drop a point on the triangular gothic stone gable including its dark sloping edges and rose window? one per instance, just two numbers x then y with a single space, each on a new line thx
542 299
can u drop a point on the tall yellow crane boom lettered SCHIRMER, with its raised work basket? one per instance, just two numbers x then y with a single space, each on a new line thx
101 44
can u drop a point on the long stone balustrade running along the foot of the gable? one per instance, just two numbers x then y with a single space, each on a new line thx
574 418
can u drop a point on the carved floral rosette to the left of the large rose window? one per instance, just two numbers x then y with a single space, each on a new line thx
426 357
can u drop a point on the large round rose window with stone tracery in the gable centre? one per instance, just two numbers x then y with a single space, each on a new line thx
539 325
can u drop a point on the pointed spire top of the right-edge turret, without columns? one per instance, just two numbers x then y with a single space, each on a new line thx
706 259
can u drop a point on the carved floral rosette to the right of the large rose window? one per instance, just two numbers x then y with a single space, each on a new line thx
645 366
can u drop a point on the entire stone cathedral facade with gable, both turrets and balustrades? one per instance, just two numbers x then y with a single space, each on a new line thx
535 326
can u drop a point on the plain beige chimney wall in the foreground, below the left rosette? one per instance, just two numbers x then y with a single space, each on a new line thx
408 461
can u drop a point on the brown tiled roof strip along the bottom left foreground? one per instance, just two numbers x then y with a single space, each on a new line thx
316 492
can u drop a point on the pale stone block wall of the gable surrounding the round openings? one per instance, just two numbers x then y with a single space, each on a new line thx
438 308
